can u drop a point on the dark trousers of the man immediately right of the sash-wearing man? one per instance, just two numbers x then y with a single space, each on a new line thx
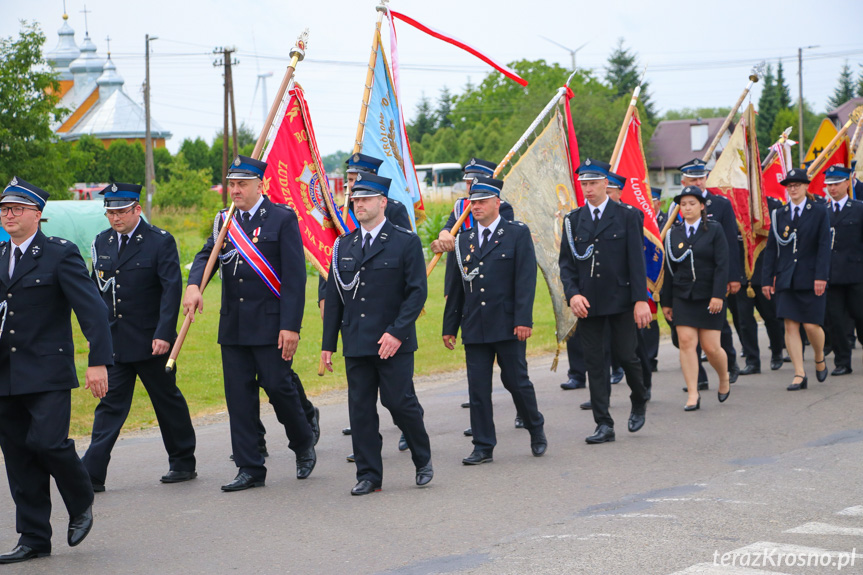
393 378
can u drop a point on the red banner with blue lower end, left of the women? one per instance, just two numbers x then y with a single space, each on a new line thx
631 163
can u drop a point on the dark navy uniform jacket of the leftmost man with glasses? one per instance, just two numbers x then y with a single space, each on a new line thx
36 350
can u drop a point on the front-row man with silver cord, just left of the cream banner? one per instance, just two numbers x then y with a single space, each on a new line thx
491 300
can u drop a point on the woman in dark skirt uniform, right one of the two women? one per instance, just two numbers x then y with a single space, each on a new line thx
796 268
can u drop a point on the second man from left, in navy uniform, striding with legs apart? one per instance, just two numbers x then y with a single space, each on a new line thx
137 270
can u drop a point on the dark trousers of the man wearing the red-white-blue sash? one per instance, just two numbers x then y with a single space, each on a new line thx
246 368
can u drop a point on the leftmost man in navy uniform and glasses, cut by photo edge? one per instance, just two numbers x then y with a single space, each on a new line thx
42 280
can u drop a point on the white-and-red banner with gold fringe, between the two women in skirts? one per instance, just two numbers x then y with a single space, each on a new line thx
737 176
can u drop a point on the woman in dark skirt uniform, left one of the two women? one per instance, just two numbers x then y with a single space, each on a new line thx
693 293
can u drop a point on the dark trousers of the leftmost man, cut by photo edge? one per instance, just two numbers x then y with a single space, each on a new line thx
34 436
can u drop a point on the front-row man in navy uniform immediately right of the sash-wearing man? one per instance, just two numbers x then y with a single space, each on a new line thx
375 292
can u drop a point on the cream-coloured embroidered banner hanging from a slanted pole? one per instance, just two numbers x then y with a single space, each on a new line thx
539 187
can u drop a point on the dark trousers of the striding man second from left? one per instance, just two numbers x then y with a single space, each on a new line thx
170 406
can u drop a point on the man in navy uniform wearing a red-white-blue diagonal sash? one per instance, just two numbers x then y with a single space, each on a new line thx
263 295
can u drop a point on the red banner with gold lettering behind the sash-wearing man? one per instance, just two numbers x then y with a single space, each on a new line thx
295 177
